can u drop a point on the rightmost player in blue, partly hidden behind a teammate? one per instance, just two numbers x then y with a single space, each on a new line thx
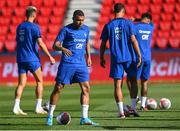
144 31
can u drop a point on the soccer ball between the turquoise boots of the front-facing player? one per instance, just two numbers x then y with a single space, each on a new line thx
63 118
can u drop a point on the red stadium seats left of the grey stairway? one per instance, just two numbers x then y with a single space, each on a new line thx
50 18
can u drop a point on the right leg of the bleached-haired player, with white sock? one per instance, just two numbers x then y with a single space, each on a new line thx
39 90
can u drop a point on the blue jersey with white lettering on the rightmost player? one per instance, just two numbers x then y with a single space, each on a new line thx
144 33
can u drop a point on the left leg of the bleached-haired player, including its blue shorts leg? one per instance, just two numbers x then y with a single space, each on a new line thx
22 78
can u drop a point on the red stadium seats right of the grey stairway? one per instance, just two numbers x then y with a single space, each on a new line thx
165 18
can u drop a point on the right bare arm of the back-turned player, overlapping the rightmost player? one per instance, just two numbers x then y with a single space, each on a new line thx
136 48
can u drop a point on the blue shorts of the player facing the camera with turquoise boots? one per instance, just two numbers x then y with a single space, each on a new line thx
71 73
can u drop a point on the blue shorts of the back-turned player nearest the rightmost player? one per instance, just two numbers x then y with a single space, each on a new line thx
117 70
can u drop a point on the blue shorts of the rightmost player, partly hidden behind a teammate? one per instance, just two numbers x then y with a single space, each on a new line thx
143 72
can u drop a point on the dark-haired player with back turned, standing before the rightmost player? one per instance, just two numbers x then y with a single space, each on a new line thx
119 32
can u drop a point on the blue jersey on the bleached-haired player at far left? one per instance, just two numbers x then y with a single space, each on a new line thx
27 34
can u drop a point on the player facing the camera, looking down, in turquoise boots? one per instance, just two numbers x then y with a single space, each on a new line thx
73 41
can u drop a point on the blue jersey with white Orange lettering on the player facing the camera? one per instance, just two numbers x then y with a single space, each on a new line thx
75 40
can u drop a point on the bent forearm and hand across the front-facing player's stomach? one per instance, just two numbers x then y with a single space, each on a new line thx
57 46
